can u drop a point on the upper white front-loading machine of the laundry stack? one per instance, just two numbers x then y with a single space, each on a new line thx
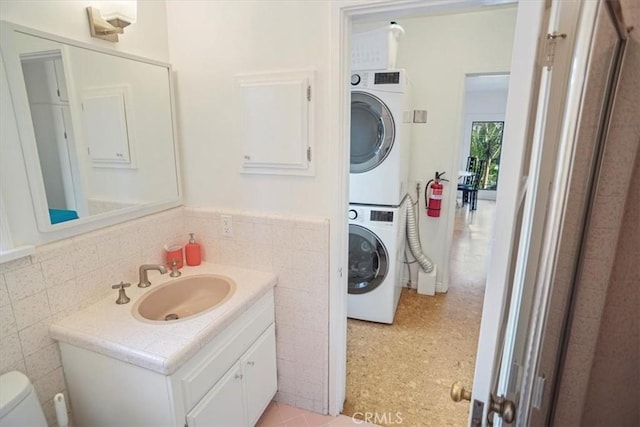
380 137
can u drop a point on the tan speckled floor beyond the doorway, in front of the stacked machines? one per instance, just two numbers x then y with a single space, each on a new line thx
403 372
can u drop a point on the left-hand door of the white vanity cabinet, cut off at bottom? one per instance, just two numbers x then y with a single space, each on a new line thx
223 405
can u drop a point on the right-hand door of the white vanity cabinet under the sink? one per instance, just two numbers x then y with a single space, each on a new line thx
261 381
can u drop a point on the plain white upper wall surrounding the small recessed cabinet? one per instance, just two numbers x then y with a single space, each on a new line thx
210 42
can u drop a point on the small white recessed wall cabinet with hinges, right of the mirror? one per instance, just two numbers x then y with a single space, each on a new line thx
276 122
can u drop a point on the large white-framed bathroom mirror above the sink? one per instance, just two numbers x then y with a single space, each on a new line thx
96 129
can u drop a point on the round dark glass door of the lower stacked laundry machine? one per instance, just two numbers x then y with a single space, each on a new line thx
368 260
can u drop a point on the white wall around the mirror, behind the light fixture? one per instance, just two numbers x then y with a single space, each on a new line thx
147 37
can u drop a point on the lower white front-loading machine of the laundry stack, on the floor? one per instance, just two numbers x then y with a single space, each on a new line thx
376 255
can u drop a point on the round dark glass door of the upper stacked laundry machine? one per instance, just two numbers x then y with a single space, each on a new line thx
372 132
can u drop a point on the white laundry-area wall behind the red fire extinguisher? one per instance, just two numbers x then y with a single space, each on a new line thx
438 52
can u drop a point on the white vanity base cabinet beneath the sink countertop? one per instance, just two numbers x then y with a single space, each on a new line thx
229 382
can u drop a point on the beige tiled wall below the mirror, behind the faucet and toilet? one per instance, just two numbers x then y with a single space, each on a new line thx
64 277
